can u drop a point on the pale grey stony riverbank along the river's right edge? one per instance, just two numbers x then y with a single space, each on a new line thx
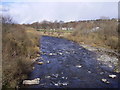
108 57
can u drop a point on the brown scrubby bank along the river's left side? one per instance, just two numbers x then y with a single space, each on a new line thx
19 48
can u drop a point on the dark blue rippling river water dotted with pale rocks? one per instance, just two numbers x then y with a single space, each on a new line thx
67 64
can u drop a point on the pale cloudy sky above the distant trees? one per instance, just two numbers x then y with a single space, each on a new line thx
28 12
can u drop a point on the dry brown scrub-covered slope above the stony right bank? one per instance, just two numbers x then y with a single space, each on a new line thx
106 37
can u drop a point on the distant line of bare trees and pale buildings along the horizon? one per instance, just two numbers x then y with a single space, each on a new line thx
58 25
